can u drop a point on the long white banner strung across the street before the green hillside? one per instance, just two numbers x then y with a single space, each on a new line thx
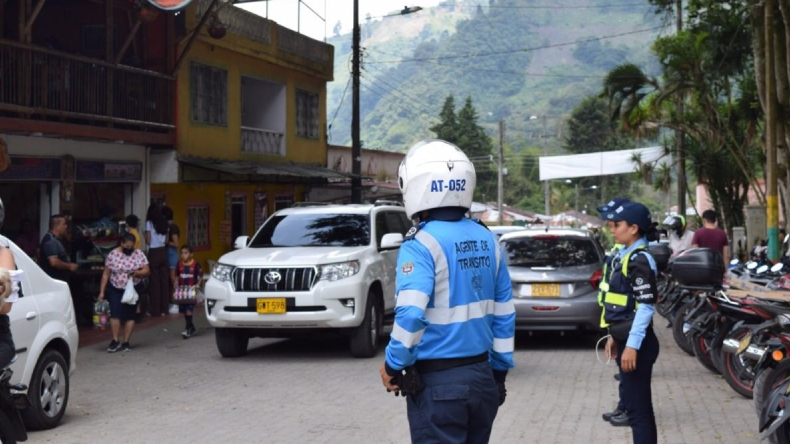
598 164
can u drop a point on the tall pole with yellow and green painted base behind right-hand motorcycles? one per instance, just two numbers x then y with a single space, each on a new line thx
770 134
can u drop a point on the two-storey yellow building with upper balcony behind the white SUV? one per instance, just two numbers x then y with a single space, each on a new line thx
250 126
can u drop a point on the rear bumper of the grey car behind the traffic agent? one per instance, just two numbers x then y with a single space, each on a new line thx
579 313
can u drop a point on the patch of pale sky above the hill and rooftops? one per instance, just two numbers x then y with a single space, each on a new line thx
286 13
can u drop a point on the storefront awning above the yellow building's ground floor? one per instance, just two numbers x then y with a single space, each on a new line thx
210 170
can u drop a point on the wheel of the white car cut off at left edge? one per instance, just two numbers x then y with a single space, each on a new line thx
48 393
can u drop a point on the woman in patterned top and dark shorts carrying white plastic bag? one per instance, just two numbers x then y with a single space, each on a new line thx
124 268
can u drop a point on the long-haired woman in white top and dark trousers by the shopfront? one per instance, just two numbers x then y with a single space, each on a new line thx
159 282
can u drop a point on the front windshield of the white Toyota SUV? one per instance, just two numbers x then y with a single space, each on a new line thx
314 230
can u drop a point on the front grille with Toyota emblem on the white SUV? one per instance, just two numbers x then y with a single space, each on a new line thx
291 279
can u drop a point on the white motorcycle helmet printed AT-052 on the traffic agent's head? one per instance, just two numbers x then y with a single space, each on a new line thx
436 174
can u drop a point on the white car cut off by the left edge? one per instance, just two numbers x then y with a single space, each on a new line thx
44 328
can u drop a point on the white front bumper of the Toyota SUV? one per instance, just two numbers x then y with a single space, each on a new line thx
326 305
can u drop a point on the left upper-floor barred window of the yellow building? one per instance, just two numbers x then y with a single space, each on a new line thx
208 94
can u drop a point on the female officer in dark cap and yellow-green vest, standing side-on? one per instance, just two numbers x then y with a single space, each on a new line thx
628 313
